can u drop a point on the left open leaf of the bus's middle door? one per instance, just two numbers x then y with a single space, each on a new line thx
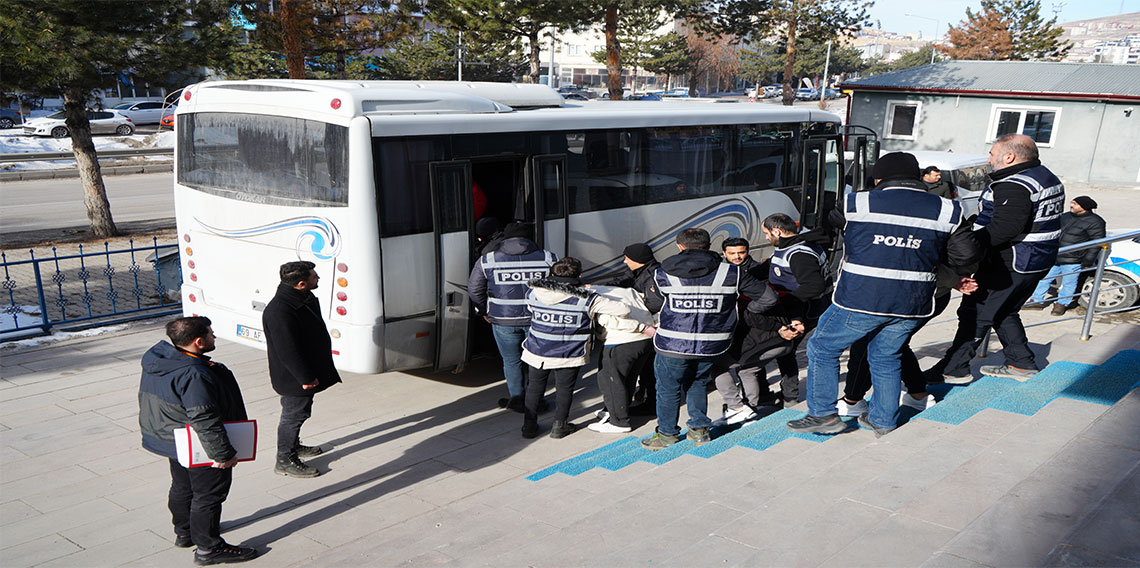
453 233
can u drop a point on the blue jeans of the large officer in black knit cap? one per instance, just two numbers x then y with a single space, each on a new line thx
838 330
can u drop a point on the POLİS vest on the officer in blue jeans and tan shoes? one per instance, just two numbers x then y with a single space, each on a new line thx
699 314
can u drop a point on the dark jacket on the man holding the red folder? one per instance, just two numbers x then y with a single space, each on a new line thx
180 390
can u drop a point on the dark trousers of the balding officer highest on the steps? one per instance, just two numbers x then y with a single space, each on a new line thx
994 309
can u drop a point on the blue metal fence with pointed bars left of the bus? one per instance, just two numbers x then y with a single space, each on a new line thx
83 287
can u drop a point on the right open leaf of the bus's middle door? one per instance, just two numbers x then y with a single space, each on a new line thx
548 177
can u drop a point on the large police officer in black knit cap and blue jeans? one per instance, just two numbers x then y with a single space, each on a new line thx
895 237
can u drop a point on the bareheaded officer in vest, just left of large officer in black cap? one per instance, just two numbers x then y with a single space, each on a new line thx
797 273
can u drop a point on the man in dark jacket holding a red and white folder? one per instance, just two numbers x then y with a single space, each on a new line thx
182 387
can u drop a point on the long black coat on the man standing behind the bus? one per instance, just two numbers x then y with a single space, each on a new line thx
298 344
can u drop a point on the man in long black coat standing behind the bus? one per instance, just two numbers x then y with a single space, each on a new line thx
300 361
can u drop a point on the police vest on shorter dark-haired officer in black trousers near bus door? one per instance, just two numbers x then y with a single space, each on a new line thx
560 330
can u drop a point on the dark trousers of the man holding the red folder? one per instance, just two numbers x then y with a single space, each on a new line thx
197 496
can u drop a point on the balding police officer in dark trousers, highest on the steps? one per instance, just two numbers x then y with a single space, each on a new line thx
1020 224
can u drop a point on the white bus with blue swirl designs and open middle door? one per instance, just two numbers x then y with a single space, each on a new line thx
373 182
